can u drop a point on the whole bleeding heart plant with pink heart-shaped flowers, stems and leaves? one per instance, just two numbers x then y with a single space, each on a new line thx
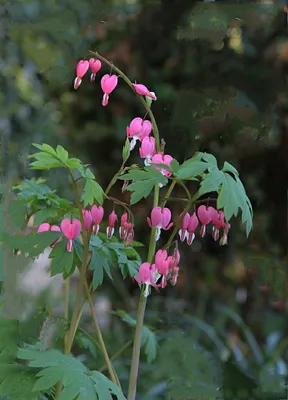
81 242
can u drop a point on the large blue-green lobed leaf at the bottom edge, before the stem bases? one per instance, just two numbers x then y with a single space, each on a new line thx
78 382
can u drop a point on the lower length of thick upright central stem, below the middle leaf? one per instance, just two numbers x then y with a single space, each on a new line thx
140 315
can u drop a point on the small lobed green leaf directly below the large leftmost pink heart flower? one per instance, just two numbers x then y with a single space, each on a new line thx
62 260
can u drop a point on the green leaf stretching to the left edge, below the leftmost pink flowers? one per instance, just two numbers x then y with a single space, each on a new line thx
31 244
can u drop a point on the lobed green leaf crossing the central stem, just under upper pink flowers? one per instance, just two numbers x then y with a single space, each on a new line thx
145 179
